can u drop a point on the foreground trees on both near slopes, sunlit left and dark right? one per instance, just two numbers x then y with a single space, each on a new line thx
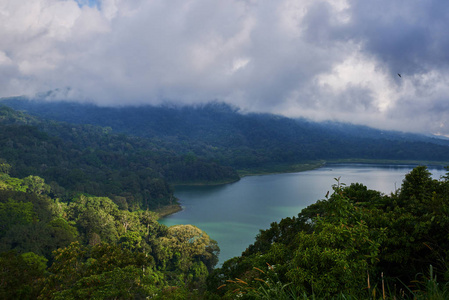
356 243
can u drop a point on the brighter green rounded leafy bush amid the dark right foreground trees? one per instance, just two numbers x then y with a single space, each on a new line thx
332 259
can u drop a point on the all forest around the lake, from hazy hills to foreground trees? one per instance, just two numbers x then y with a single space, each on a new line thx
77 208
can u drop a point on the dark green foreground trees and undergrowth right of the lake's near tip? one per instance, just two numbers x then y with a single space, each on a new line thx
355 244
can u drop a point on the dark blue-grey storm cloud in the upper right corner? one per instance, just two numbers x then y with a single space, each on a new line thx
408 36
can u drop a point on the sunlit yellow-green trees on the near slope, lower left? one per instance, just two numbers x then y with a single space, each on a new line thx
89 248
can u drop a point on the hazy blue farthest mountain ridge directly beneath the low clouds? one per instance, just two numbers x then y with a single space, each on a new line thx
245 141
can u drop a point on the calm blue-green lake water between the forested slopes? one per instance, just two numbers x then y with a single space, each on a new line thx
232 214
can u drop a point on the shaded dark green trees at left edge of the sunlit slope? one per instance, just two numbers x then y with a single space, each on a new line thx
29 220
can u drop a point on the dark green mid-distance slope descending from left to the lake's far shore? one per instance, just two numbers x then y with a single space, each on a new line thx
134 172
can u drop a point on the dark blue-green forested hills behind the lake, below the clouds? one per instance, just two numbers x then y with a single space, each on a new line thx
133 155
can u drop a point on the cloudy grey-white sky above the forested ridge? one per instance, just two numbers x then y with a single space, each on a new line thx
320 59
